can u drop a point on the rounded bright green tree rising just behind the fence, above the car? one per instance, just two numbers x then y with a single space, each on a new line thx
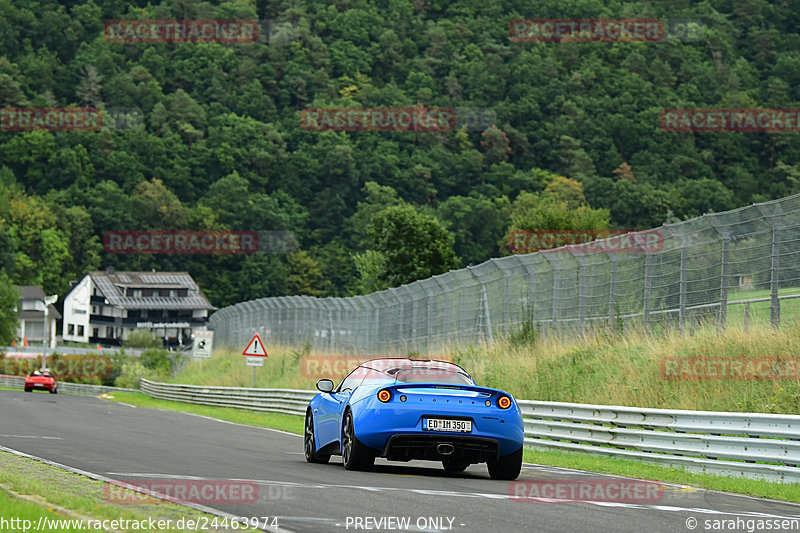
415 246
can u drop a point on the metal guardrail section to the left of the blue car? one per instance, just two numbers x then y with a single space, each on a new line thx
286 401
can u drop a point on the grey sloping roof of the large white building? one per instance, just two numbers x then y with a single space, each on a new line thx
113 286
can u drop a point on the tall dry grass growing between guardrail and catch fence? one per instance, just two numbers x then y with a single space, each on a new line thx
602 367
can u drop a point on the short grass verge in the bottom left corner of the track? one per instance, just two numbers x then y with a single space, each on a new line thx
30 489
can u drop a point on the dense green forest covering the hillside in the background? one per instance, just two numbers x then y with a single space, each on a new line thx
211 135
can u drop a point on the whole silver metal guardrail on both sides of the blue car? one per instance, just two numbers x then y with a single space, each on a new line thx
750 445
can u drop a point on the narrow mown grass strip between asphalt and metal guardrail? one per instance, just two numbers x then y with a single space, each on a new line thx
622 467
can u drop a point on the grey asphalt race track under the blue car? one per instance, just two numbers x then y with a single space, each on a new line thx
127 444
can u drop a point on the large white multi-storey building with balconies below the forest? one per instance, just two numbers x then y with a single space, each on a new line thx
104 307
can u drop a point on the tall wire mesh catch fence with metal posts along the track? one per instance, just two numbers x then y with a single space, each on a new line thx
736 267
